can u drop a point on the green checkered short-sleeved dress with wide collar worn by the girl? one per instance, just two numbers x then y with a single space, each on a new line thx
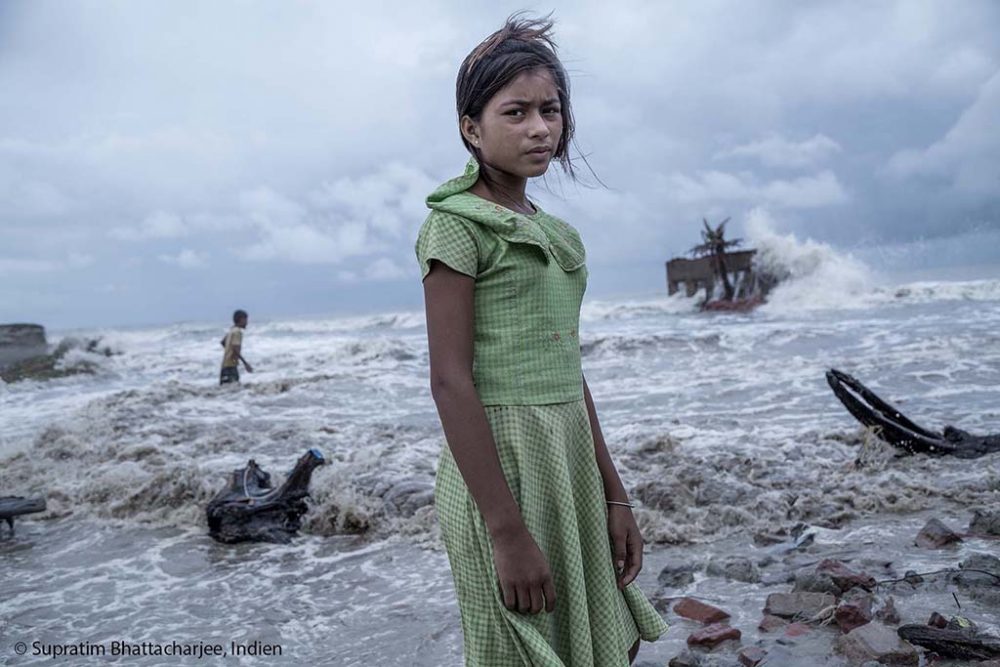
530 279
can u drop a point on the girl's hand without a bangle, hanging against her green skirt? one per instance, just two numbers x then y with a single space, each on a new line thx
525 579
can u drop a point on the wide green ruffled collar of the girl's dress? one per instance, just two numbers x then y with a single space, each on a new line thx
543 230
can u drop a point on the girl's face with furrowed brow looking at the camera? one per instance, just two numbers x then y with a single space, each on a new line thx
520 126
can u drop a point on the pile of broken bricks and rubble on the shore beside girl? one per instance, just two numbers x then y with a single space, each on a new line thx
856 613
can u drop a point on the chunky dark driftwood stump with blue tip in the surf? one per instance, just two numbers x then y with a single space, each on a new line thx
250 509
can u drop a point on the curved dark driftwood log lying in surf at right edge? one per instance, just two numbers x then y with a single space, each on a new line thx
895 428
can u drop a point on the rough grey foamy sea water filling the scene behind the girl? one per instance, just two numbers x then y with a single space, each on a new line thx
722 427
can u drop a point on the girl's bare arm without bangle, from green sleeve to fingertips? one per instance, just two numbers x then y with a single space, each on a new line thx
525 579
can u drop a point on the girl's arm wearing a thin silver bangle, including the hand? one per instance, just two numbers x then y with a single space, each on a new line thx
625 537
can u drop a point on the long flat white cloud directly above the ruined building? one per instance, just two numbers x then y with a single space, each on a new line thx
707 187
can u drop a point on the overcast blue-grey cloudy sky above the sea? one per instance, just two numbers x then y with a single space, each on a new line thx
168 161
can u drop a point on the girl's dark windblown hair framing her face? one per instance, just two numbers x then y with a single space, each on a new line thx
522 44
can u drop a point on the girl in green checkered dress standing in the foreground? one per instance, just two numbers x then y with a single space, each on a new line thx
526 492
